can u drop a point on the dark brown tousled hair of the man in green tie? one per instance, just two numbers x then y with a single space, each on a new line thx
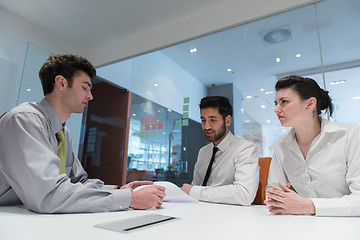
66 65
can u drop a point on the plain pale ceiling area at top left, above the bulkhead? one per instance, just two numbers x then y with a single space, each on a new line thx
93 23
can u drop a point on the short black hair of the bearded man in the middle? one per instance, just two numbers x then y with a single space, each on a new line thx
220 102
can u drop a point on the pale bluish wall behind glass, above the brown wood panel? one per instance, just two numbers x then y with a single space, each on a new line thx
174 84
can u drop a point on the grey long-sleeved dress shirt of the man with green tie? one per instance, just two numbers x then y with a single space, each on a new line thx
29 167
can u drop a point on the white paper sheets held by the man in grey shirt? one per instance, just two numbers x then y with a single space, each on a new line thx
173 193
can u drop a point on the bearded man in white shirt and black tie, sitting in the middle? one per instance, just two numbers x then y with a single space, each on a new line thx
226 170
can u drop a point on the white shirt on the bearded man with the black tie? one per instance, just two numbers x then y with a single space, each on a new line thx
234 175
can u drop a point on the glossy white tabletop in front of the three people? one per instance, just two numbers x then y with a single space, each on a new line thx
198 221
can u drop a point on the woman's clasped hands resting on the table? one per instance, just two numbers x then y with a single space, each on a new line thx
288 201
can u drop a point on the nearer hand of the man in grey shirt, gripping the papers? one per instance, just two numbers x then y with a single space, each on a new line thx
148 197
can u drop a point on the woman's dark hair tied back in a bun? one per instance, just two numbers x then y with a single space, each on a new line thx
307 88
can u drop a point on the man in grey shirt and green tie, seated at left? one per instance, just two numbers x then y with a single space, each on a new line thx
38 166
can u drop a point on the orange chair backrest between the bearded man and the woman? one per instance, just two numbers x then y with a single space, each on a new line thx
264 164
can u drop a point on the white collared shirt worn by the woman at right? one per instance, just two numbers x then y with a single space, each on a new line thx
330 173
